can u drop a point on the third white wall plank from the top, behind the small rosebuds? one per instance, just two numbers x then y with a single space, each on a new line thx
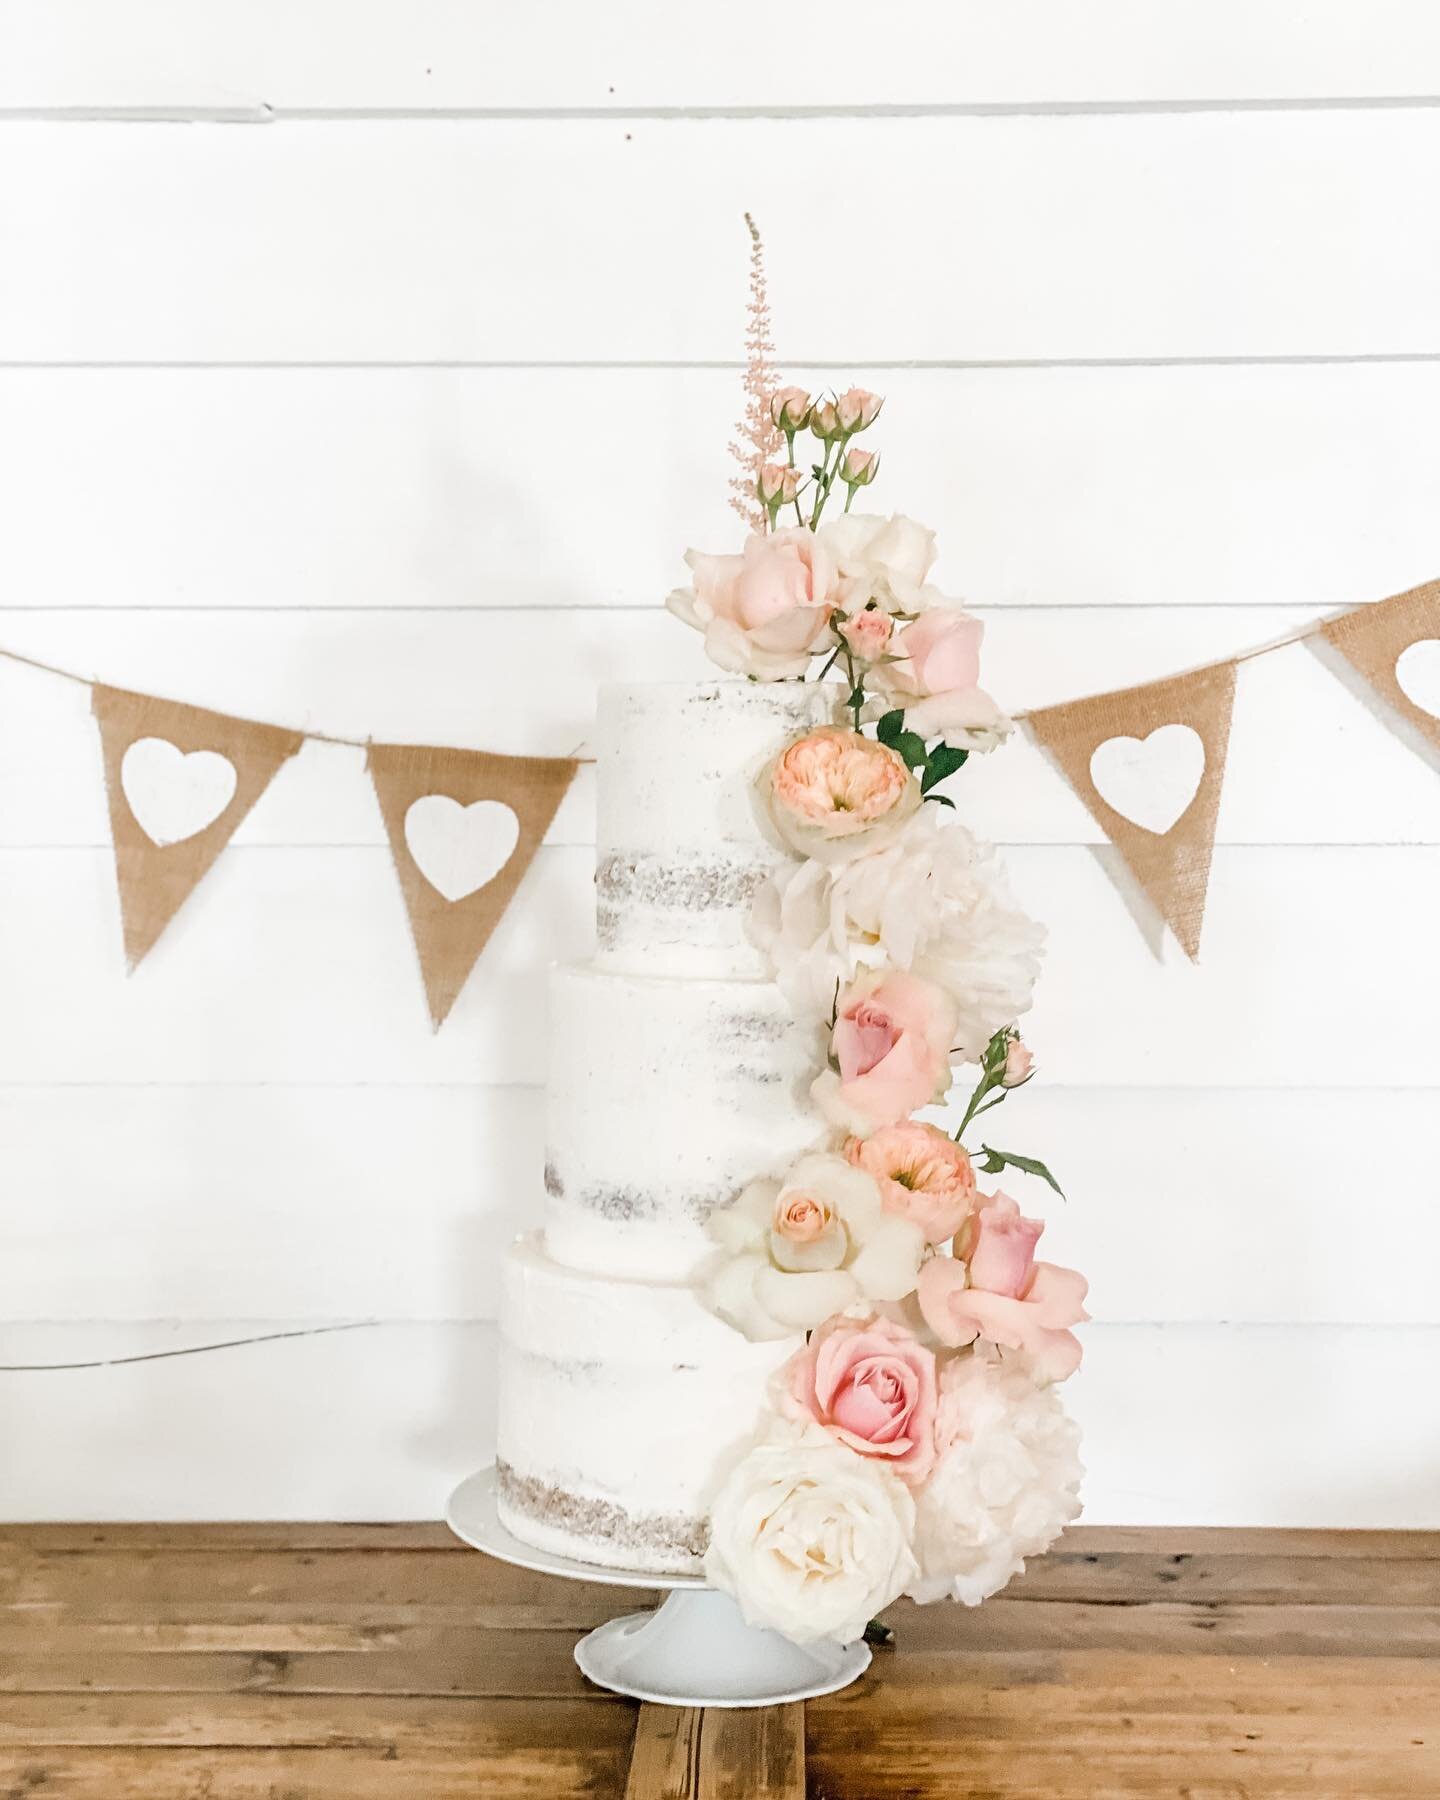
1147 487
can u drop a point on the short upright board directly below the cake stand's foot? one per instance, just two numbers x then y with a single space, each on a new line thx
721 1754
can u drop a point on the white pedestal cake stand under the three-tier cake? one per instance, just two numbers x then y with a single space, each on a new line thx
694 1650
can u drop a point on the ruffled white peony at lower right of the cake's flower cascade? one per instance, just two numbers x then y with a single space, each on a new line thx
1003 1489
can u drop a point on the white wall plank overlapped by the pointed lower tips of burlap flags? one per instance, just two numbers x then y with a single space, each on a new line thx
296 967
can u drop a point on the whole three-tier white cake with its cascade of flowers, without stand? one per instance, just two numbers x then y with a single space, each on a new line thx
769 1326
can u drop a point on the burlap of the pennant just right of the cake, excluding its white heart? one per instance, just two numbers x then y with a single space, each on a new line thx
1173 867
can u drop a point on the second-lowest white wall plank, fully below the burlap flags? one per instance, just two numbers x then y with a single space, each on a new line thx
204 1203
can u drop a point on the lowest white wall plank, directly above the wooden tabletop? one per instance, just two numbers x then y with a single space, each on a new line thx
1225 1423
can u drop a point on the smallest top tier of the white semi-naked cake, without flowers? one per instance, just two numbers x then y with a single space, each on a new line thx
679 845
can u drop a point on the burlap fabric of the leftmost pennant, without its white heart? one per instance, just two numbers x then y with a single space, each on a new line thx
157 874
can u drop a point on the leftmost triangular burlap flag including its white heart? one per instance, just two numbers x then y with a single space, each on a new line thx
179 782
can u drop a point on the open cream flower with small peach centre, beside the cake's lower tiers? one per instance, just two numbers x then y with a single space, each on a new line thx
809 1246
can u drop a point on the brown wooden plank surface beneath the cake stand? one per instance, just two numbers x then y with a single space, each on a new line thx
381 1662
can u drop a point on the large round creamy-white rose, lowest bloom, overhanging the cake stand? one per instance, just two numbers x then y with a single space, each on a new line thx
811 1538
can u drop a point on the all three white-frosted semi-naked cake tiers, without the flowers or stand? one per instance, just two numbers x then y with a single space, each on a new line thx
678 1075
